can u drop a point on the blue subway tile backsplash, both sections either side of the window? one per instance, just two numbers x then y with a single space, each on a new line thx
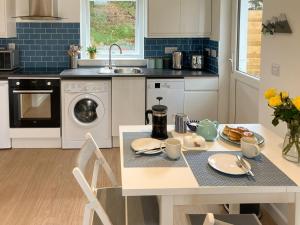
43 46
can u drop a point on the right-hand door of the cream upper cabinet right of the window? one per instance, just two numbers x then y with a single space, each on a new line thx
196 17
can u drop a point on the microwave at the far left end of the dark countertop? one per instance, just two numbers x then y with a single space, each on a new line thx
9 59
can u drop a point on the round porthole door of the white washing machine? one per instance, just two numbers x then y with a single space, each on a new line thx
87 110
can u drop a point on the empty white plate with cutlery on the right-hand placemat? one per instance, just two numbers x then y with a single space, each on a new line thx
226 163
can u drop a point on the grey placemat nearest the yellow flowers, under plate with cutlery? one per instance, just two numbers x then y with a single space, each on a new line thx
266 173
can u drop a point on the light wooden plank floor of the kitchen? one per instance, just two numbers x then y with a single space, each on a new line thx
37 188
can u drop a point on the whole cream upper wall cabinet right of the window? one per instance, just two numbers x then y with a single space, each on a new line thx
179 18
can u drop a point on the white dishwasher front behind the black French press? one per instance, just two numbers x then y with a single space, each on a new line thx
172 92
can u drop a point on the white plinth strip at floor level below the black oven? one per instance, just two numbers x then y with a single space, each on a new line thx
29 143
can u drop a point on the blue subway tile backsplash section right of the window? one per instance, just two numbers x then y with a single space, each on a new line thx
155 47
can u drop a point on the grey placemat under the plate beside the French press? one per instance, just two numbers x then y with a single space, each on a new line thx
131 160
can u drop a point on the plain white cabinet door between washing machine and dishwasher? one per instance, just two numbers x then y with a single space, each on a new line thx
128 102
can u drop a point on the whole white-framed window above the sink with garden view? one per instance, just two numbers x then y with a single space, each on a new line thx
104 22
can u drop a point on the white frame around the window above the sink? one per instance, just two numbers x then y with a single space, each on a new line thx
139 32
